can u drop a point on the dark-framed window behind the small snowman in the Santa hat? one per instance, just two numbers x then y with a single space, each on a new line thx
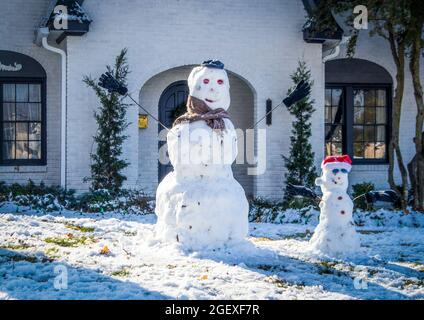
356 121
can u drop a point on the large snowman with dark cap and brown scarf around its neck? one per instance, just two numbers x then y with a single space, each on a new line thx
200 204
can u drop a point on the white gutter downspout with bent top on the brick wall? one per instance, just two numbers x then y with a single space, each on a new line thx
42 33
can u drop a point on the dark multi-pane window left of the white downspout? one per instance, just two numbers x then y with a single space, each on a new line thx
22 123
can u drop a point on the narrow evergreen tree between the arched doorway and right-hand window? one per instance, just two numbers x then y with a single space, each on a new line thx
300 163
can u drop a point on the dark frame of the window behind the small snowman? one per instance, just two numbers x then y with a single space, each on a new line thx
348 118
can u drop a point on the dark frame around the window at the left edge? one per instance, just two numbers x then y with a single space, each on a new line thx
26 162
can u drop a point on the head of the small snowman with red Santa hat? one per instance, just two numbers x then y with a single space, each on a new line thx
335 170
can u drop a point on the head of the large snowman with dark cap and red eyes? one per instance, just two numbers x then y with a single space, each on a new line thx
209 82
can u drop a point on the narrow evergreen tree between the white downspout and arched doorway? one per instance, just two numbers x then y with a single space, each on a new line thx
107 164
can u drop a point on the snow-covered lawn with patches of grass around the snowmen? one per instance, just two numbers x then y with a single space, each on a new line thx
115 257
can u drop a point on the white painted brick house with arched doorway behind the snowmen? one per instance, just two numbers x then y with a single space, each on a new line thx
260 43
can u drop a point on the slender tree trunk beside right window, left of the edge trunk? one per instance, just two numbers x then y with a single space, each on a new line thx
398 52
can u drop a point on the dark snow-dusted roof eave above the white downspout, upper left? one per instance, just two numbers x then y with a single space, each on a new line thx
78 20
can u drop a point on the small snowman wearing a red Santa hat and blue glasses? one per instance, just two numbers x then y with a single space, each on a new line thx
335 233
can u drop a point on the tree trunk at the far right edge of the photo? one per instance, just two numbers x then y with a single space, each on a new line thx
418 168
